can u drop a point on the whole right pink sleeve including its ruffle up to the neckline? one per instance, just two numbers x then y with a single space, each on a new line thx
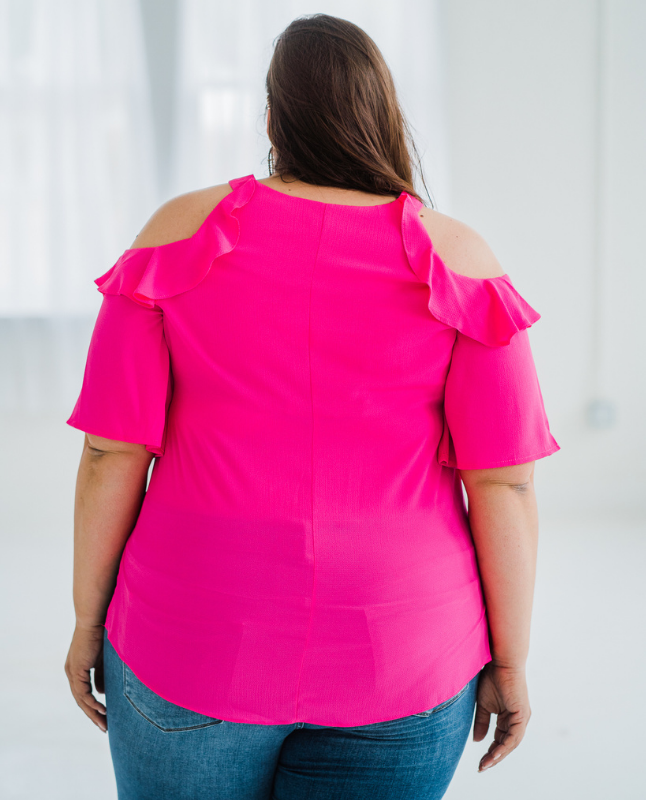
494 414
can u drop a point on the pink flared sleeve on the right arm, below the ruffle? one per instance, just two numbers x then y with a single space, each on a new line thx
493 408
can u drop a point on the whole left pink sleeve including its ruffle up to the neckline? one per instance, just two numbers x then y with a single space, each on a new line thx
128 384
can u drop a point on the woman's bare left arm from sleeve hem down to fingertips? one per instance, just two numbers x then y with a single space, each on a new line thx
110 488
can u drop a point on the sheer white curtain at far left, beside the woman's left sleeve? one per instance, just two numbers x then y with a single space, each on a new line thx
78 181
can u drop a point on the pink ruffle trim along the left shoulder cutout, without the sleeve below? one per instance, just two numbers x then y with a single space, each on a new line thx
149 274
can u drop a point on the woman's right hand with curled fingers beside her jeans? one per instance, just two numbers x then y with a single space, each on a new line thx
502 690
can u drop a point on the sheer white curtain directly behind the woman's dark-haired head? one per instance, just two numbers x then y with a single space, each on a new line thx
224 52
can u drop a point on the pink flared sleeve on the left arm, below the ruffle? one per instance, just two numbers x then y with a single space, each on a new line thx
127 385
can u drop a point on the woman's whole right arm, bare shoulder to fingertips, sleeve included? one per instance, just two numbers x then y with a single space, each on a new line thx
494 415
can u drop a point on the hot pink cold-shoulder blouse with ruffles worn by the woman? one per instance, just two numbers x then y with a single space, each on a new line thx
310 376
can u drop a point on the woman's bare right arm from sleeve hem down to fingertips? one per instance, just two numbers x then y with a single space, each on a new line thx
504 524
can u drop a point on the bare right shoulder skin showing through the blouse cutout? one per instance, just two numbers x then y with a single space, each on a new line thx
460 247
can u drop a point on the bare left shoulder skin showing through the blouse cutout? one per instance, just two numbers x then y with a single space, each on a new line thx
180 217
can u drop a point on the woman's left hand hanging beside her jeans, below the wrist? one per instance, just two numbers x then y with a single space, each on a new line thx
86 653
